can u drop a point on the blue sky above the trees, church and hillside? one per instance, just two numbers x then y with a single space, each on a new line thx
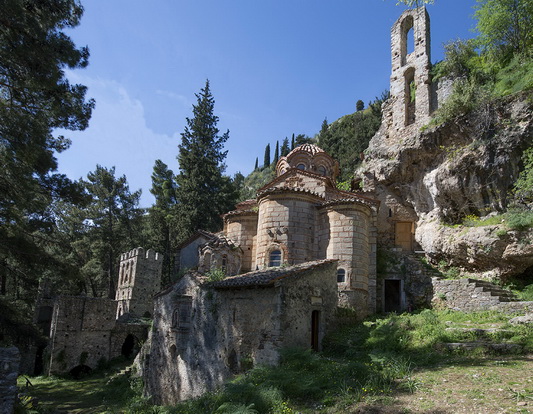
275 67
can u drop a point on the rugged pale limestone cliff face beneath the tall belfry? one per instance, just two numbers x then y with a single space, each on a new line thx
435 176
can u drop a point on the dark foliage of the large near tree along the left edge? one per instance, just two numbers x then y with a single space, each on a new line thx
36 99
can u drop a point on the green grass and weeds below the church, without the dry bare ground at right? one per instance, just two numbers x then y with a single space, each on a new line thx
361 361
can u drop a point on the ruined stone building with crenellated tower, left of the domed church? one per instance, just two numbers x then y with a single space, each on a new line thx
86 331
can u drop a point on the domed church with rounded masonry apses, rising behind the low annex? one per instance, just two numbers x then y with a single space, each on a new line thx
299 217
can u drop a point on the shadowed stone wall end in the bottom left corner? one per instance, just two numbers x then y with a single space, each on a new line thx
9 369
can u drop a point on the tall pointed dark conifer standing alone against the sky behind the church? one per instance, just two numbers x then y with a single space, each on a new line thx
203 192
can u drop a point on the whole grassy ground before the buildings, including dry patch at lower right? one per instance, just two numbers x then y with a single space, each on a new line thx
386 362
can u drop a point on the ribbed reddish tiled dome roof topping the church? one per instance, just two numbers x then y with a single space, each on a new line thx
310 158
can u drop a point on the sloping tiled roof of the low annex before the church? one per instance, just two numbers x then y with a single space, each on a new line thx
267 277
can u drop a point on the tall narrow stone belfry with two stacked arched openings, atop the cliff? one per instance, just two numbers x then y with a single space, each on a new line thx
410 84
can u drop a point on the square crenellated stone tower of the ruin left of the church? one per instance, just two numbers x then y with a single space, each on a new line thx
139 280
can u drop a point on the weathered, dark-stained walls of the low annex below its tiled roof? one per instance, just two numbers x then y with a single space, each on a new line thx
226 330
